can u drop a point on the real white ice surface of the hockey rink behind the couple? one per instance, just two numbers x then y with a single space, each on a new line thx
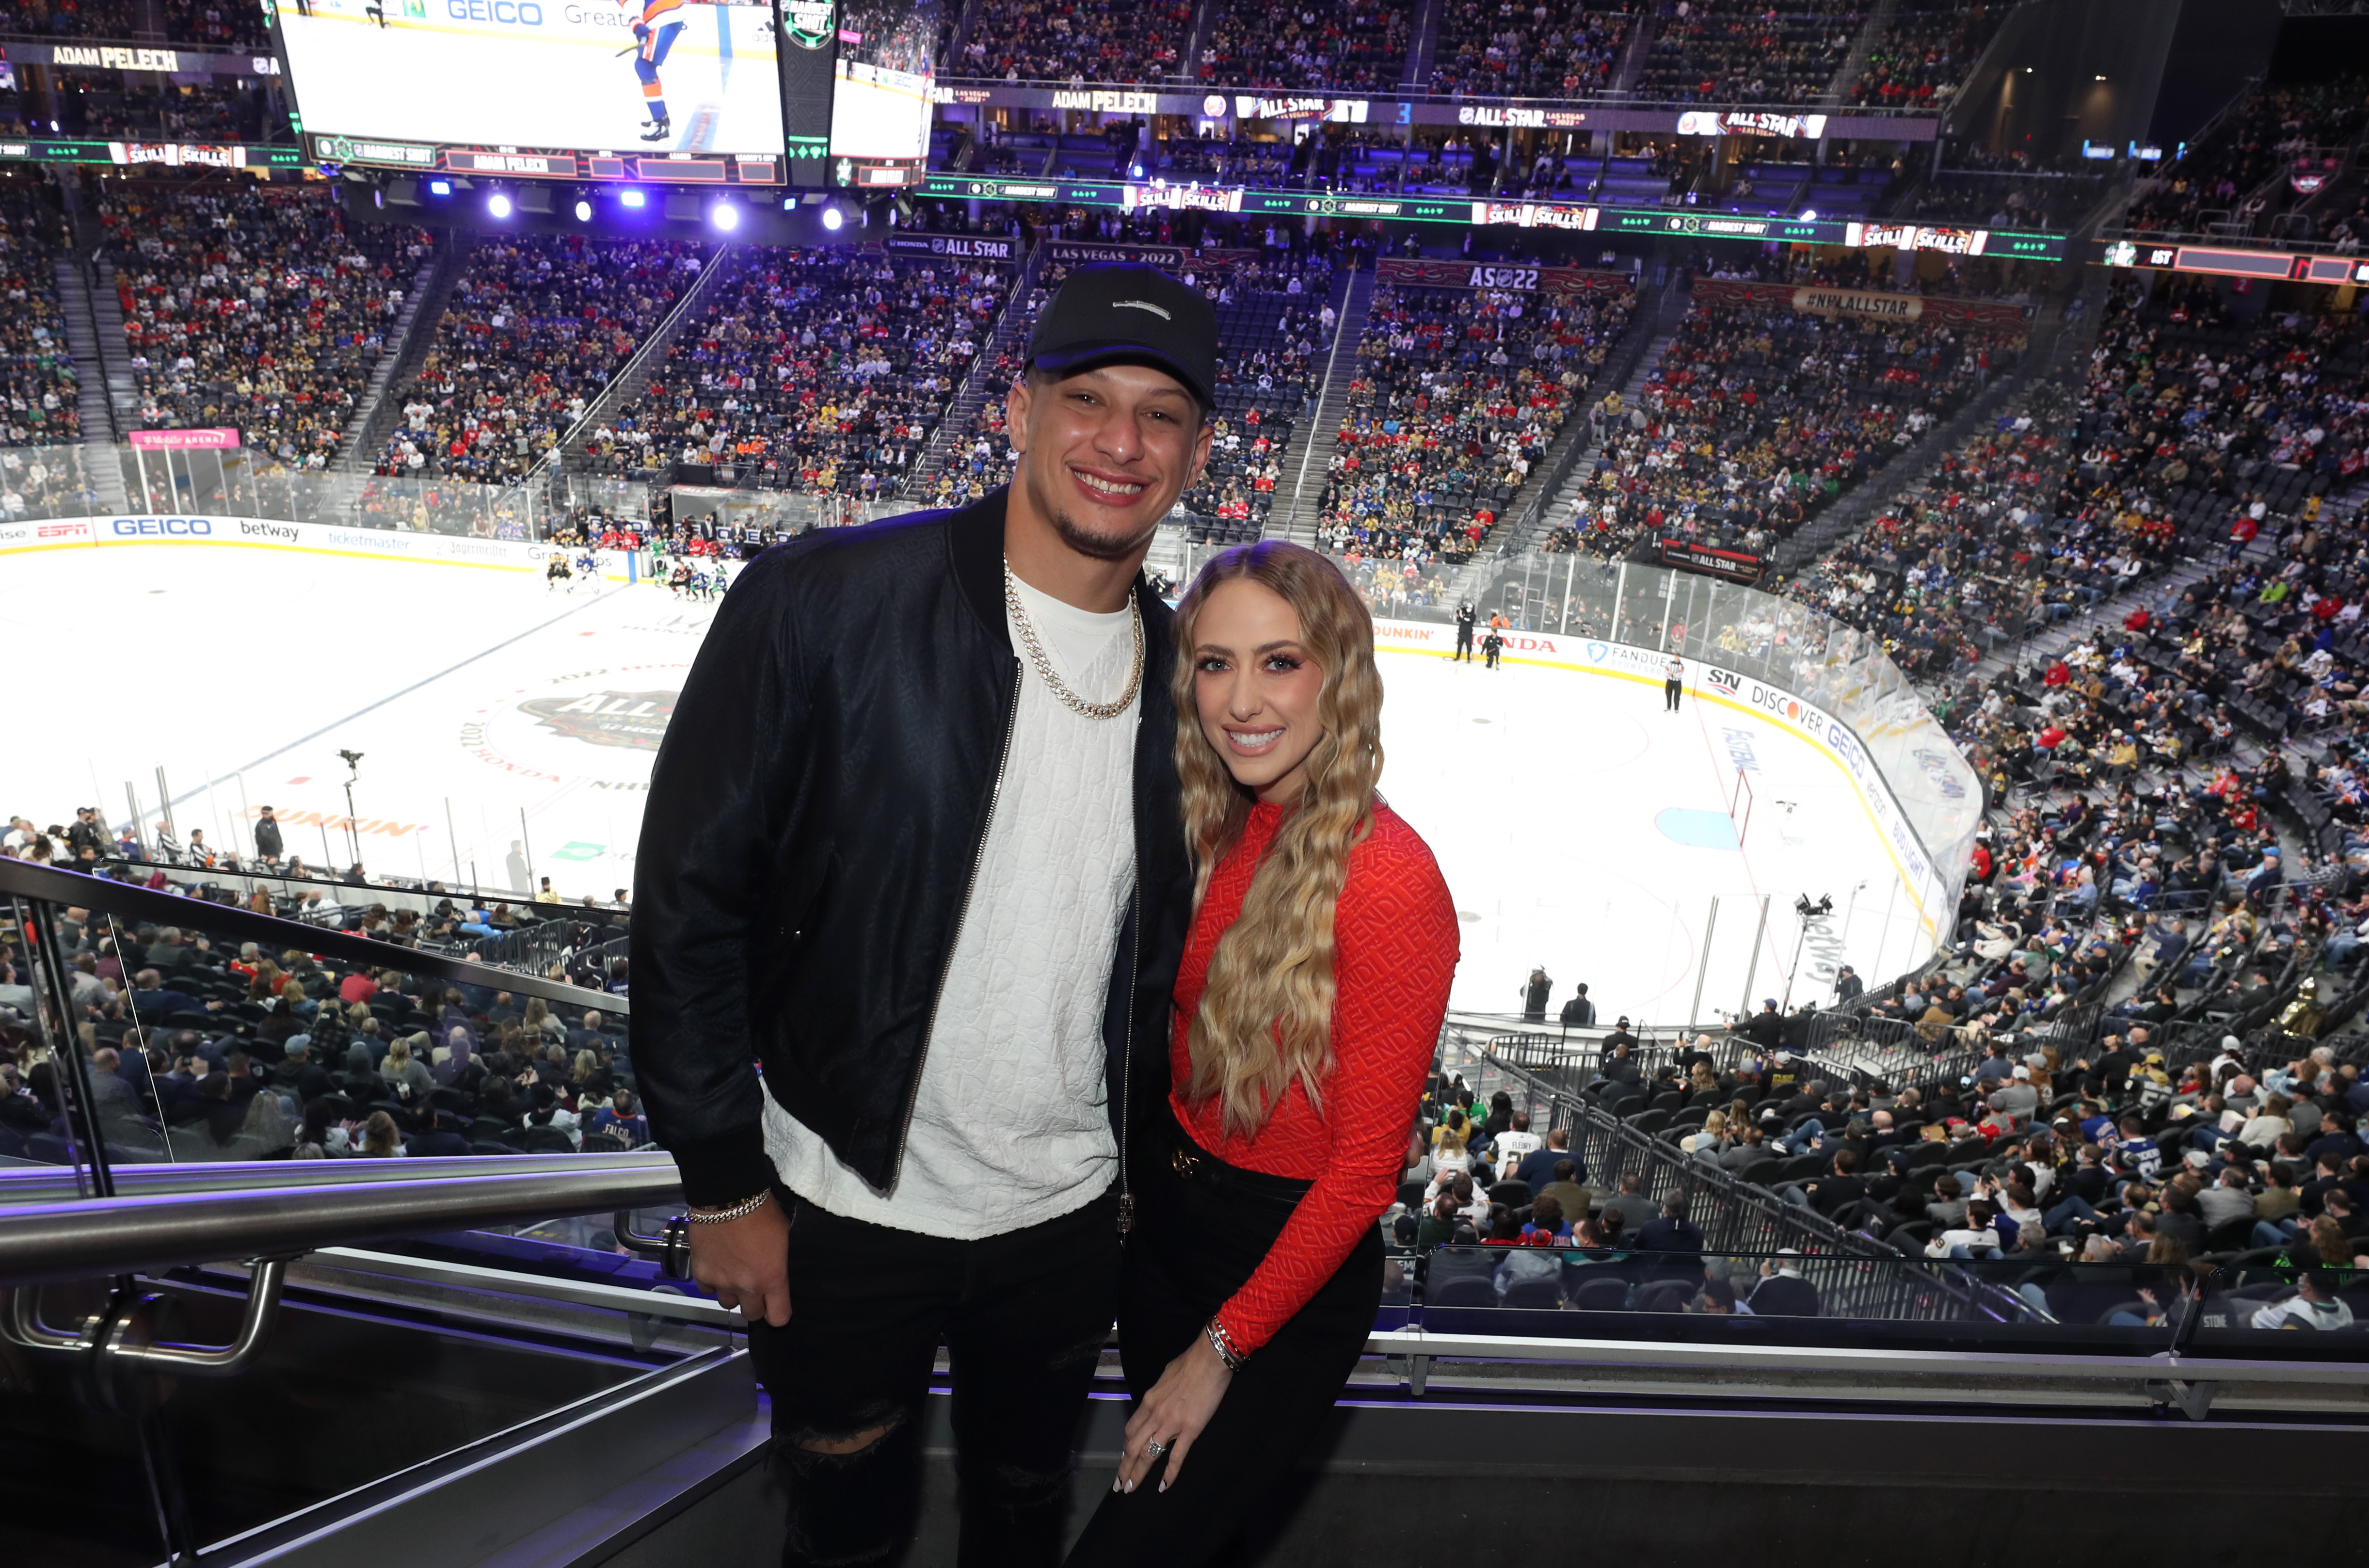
1579 825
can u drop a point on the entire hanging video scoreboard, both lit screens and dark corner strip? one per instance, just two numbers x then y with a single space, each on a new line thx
679 91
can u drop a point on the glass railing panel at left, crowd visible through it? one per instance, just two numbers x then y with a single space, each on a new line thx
169 1032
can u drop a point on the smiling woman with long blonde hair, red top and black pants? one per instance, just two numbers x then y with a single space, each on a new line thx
1309 1005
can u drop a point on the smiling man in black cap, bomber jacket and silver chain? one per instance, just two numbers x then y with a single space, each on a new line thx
835 861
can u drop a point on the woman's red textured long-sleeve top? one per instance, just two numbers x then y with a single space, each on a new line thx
1394 953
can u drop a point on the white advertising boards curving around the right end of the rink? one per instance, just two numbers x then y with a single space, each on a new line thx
1930 885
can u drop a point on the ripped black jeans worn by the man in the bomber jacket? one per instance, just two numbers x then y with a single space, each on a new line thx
1025 1318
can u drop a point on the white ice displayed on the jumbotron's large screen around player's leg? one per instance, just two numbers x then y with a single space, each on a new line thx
484 75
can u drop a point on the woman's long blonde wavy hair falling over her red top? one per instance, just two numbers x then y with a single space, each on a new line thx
1266 1013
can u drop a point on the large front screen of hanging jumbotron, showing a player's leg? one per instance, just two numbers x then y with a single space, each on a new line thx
539 86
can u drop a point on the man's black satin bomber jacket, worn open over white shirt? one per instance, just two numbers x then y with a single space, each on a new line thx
814 821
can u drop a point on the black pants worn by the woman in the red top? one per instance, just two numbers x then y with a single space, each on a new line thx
1202 1228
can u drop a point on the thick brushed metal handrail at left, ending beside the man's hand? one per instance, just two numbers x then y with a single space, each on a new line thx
150 1233
